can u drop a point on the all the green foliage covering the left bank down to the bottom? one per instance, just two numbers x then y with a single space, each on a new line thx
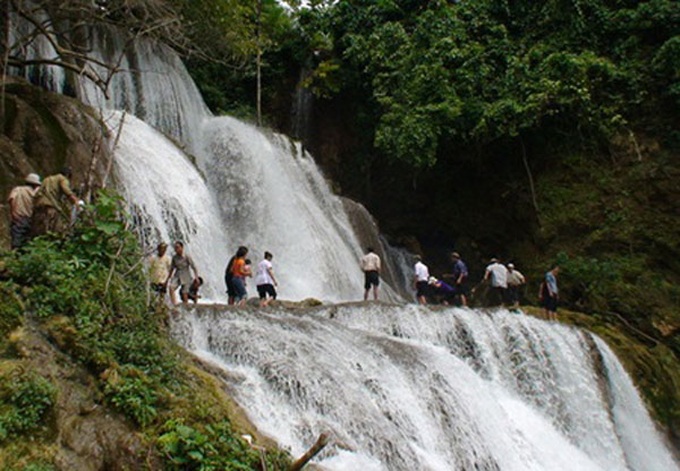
86 291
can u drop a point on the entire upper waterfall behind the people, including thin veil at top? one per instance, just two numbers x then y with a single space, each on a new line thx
214 182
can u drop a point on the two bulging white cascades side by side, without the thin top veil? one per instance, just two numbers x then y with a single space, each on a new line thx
258 191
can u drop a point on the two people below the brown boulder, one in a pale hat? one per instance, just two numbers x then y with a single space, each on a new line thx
38 207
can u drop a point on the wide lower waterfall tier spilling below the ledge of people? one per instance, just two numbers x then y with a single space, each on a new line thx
402 387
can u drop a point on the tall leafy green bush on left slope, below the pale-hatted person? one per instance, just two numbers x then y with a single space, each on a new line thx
93 277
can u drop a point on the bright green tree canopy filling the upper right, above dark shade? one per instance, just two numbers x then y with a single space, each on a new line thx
439 73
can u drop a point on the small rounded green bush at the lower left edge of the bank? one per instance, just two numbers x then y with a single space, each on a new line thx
25 399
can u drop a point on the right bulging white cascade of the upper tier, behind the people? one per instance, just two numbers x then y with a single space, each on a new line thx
273 197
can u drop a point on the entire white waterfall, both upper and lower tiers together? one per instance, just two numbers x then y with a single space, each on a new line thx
399 387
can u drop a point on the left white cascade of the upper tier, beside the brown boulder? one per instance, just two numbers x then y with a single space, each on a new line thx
168 197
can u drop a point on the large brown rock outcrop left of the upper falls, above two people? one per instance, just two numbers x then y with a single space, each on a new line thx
44 131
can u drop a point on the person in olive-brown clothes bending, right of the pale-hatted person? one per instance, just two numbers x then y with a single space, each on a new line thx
49 214
